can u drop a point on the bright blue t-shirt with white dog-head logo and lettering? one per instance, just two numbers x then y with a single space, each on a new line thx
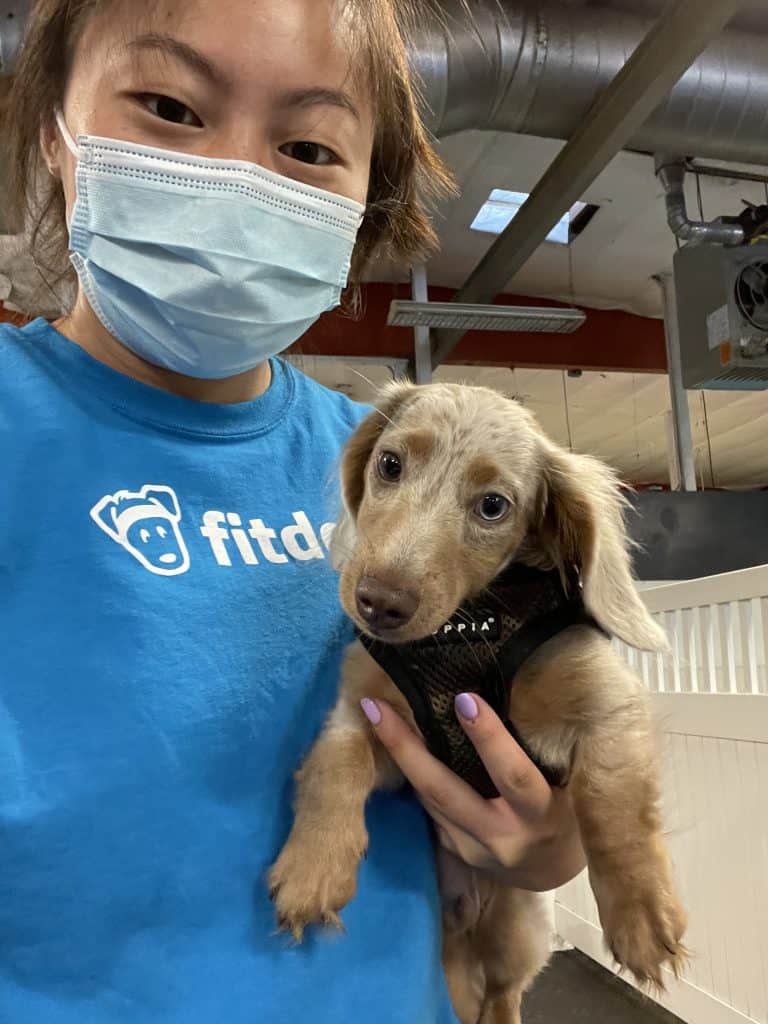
170 645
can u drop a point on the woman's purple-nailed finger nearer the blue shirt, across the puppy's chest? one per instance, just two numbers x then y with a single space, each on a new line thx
443 793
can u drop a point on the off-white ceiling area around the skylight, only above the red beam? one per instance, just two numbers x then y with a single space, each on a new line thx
612 265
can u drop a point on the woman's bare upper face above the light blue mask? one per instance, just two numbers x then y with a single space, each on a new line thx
266 81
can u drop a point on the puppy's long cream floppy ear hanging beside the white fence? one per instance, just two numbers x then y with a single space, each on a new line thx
582 524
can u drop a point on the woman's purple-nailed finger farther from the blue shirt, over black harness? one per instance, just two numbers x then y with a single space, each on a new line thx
515 775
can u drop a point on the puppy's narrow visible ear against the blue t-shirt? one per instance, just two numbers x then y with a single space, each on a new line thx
355 463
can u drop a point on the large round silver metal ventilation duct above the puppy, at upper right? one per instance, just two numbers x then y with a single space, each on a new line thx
537 70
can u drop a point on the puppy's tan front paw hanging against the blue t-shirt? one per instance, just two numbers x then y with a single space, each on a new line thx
311 883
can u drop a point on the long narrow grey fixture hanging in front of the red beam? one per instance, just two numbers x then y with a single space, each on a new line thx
454 316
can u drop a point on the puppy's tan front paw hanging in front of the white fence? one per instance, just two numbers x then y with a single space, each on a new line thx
645 933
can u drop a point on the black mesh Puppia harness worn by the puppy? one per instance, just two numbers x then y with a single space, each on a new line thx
481 650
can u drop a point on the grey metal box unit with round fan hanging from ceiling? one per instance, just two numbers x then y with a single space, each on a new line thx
722 302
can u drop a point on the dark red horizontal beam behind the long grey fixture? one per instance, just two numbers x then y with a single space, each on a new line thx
611 340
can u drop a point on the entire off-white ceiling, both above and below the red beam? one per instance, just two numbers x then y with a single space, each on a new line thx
622 418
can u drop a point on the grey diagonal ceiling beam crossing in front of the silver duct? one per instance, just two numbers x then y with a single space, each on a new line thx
680 35
